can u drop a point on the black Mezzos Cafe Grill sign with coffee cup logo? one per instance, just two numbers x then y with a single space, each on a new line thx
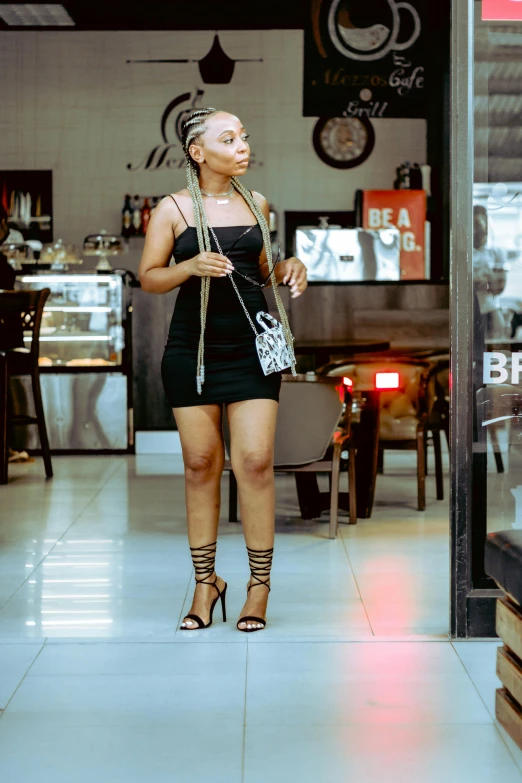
365 59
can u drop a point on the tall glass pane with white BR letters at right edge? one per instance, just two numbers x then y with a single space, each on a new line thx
497 274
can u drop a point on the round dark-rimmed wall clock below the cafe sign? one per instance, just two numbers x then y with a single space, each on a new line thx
343 142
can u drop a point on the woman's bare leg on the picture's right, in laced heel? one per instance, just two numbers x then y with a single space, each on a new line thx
252 432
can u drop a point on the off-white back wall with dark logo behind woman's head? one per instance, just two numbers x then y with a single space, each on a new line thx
70 103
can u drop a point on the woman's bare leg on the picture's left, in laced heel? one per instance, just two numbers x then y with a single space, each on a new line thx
203 455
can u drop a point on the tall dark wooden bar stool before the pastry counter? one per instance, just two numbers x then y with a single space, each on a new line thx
26 308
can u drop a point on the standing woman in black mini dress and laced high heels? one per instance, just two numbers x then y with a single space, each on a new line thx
217 231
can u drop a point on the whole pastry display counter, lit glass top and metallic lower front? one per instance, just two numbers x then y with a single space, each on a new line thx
85 362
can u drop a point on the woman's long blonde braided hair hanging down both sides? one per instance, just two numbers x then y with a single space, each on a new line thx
192 129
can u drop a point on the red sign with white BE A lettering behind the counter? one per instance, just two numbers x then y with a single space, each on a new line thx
406 210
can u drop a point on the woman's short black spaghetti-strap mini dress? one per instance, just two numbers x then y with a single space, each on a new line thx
232 369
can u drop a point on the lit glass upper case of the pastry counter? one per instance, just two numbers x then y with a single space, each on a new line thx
82 323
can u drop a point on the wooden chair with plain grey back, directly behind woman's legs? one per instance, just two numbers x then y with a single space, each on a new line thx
313 430
